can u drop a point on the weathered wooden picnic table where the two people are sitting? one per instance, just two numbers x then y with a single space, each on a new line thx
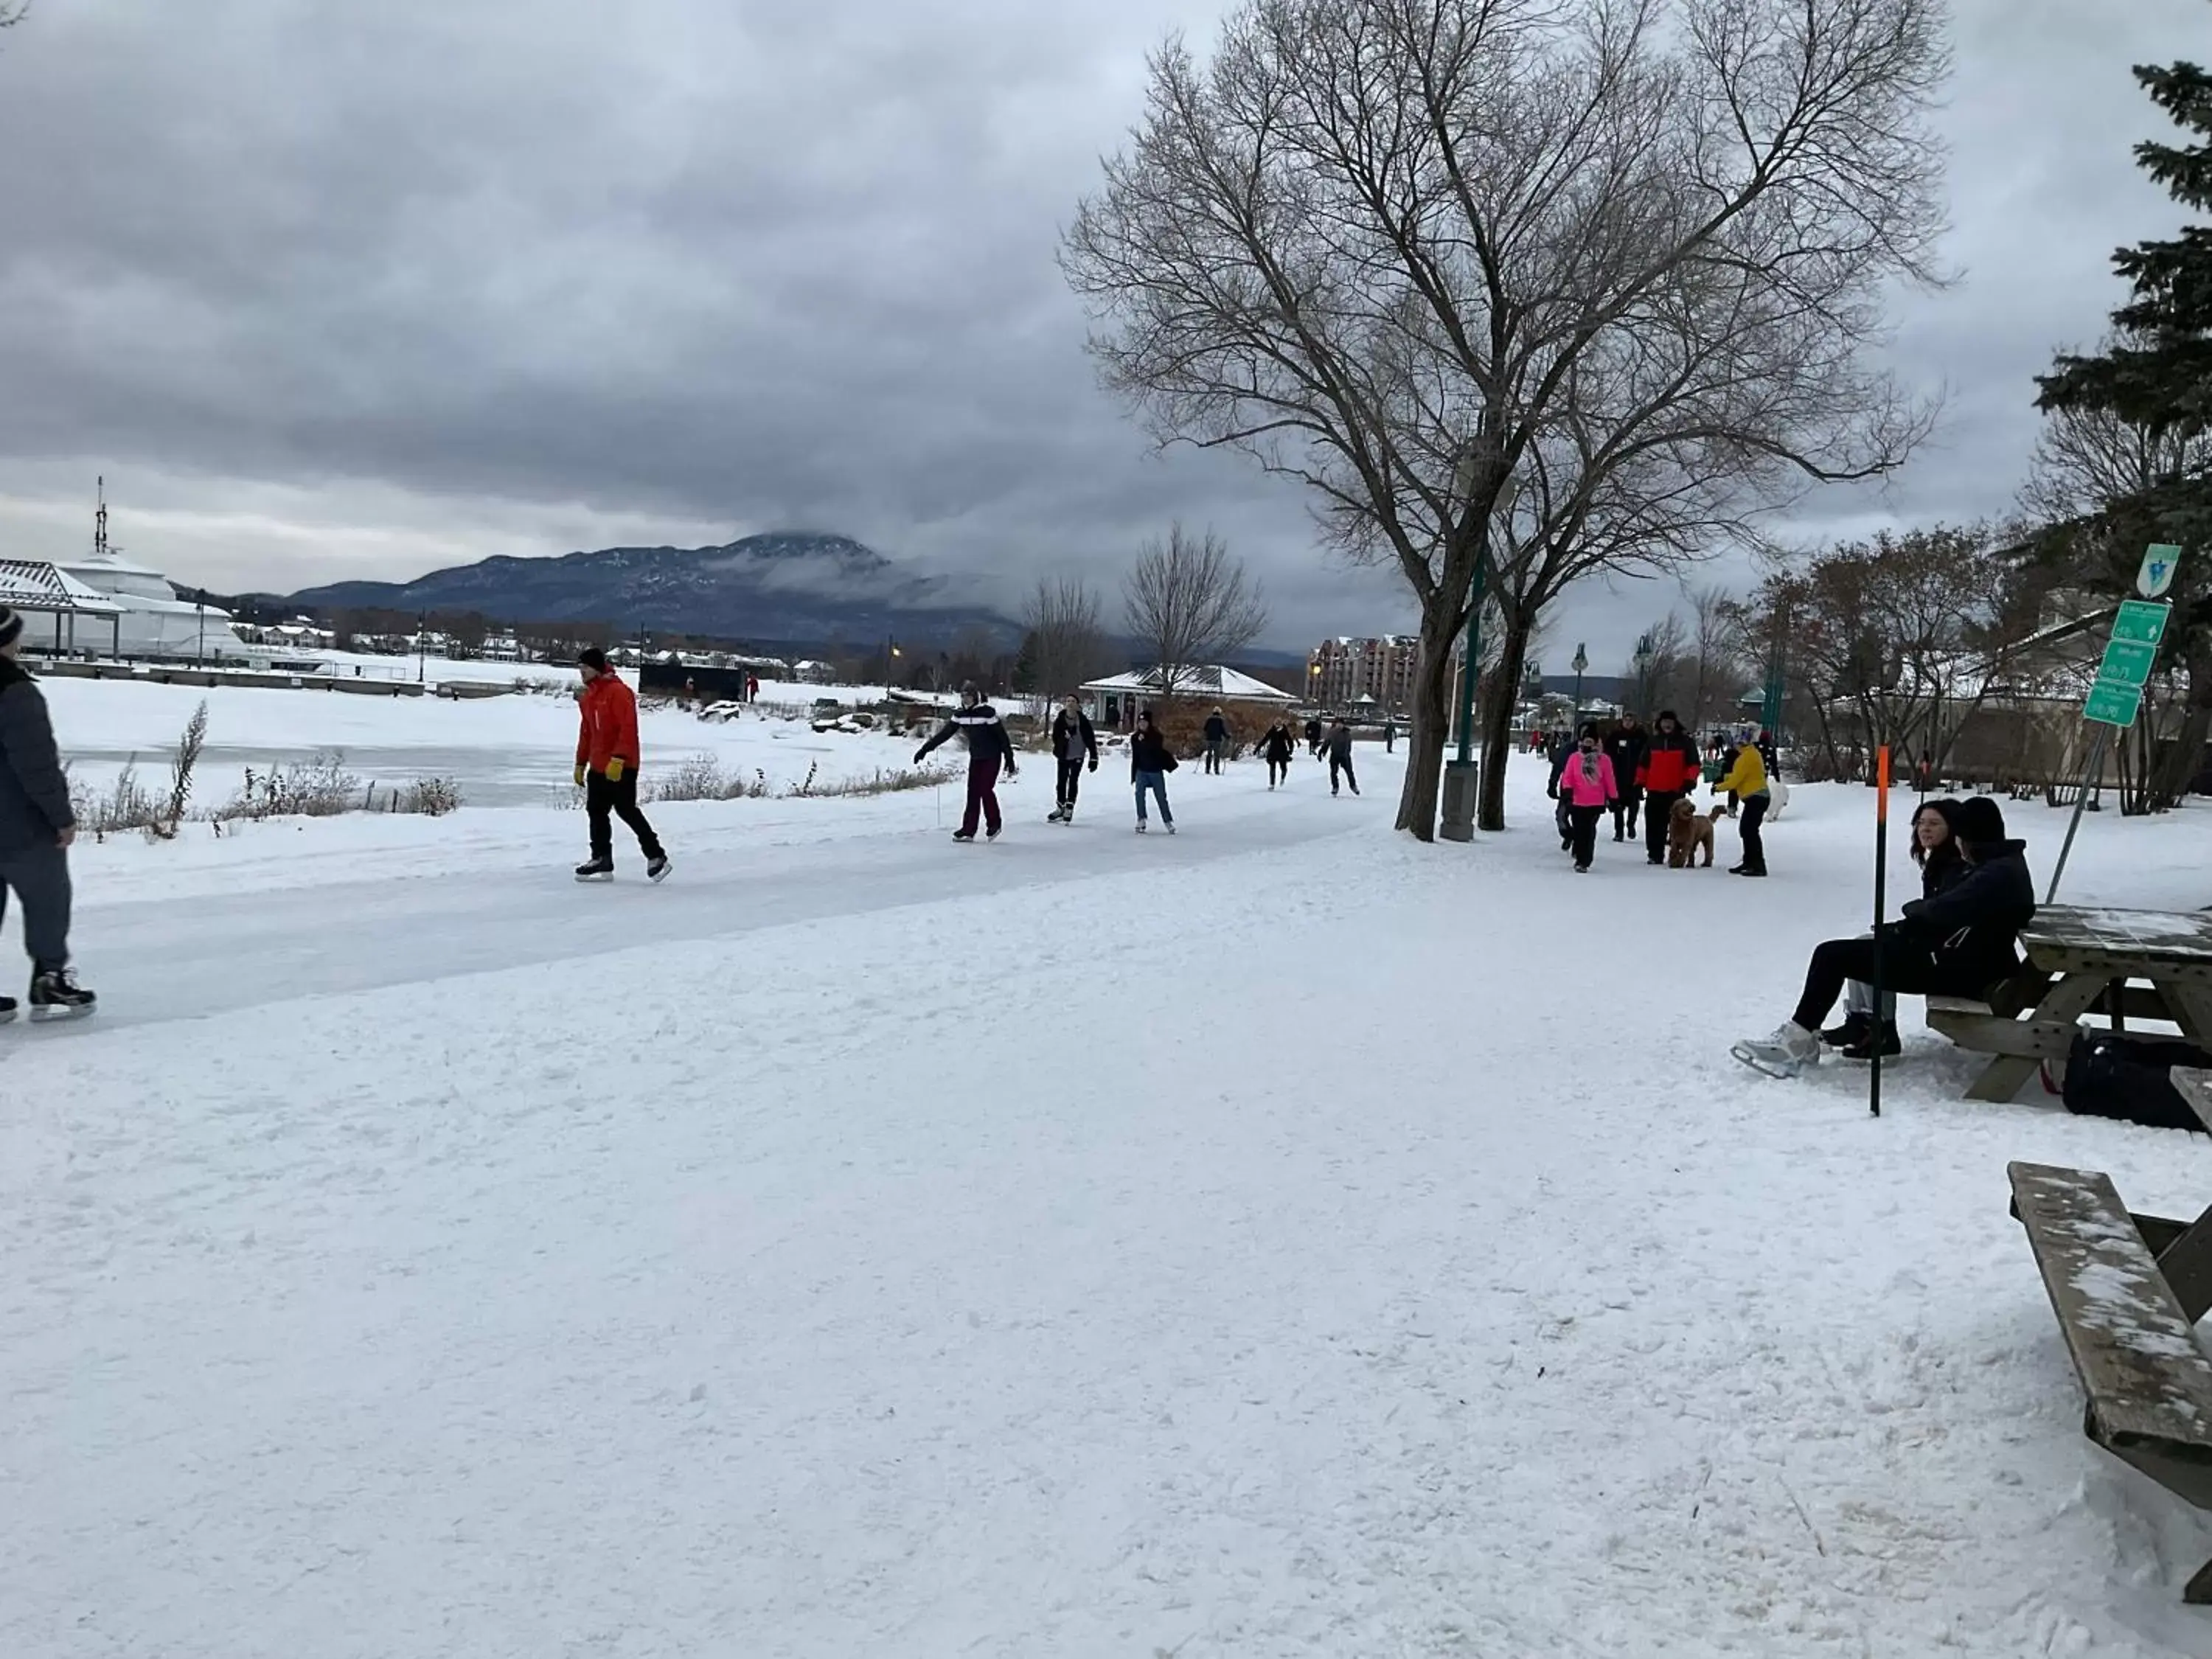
2136 963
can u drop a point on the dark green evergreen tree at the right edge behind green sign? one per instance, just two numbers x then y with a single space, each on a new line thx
2156 382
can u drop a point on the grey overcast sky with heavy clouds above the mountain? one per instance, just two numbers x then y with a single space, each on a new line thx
335 289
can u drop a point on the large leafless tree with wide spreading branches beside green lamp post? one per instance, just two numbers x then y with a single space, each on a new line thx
1623 253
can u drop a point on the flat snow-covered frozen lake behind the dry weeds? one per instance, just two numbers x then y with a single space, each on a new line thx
505 751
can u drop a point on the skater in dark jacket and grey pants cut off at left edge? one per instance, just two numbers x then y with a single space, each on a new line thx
36 831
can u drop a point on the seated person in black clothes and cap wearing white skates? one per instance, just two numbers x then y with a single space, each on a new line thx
1957 943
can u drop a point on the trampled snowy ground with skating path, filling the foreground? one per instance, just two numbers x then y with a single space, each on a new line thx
1280 1240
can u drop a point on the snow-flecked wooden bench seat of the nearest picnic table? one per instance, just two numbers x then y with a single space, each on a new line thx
2129 1293
